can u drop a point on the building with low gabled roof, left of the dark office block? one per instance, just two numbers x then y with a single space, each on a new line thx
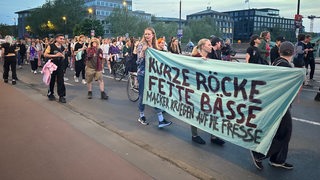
223 21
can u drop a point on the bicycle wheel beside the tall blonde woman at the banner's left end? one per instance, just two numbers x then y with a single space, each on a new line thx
133 87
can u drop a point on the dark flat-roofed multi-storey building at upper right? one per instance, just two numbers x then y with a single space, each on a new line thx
253 21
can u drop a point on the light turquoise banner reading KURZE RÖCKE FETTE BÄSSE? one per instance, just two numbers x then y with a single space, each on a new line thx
238 102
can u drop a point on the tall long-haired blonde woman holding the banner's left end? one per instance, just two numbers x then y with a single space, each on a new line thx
148 40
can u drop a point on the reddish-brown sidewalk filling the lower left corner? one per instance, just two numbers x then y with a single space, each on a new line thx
36 144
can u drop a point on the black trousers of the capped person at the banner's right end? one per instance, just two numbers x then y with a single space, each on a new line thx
279 147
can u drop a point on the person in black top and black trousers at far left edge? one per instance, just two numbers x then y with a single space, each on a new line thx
9 50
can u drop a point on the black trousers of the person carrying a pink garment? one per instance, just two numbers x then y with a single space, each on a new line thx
57 76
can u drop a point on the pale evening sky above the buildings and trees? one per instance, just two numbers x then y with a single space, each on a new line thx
170 8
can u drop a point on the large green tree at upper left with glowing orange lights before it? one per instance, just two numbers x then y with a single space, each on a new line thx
49 18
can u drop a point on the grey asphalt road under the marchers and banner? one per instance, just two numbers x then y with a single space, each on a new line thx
173 144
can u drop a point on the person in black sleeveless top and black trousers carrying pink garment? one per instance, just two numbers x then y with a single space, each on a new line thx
55 52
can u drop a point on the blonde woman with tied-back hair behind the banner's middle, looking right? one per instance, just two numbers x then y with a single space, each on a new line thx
203 49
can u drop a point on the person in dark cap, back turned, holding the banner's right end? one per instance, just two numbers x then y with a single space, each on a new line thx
278 150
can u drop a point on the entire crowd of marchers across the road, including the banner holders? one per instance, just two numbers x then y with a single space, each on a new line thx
89 57
